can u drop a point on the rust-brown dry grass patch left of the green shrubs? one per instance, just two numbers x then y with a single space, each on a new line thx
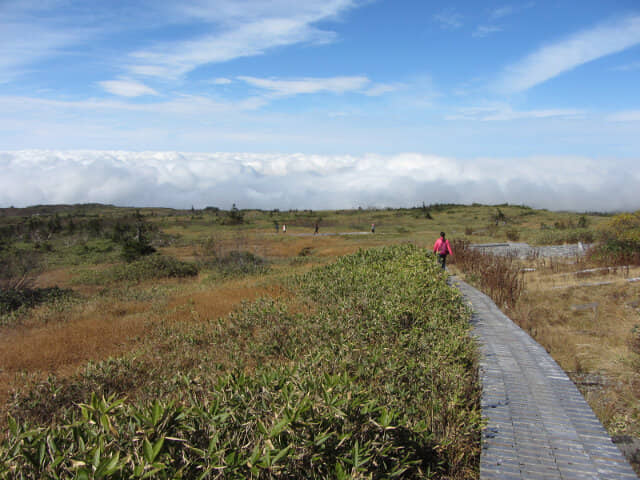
54 342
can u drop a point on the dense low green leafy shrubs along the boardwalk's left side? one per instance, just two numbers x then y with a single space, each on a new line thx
375 379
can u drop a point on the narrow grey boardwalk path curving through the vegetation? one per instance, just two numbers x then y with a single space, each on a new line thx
538 425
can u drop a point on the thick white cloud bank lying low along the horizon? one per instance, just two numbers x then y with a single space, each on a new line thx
310 181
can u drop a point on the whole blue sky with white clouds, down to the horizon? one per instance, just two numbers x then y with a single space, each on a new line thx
471 83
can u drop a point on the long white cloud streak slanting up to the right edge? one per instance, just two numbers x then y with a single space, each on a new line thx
582 47
